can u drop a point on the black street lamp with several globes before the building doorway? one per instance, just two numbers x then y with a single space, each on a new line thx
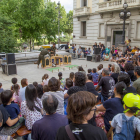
124 15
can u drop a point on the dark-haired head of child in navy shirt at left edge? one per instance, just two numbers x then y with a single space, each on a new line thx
6 97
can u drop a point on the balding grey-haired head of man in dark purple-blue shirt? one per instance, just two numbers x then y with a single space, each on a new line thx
50 104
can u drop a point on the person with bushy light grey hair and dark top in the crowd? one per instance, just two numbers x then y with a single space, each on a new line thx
115 72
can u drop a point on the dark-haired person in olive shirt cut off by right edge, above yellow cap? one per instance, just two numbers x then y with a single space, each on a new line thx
136 84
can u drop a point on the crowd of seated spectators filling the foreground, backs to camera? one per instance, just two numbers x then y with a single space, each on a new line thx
86 105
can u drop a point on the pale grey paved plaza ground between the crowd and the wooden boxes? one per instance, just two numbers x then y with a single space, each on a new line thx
32 73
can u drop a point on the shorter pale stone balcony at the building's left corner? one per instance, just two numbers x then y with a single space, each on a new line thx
82 11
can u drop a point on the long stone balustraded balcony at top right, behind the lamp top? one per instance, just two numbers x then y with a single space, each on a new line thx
115 5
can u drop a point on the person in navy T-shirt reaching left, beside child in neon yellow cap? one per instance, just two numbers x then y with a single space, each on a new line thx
113 106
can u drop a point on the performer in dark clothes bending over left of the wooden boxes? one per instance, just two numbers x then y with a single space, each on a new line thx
41 56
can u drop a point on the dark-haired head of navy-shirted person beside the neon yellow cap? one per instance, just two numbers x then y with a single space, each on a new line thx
120 88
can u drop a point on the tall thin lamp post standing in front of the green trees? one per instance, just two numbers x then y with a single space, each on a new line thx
59 16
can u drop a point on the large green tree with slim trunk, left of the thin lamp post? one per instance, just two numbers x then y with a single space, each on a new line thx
30 17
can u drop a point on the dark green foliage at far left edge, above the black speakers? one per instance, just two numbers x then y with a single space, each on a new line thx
8 41
